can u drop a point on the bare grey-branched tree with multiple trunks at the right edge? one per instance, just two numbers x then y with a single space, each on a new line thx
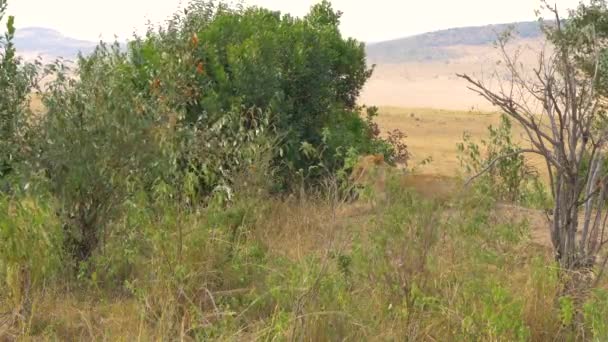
563 116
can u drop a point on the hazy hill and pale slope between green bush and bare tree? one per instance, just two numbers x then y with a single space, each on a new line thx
420 71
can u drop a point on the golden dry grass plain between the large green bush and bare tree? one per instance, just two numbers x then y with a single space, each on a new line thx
435 133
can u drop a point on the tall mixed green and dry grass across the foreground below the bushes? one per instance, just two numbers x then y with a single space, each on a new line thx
271 269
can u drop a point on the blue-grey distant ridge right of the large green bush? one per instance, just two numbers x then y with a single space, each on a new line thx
433 46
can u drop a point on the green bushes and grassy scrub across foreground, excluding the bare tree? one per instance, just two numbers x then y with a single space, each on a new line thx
197 186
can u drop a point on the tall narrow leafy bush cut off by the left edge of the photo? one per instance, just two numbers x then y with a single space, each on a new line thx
30 239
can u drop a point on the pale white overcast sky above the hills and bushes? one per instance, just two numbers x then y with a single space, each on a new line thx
366 20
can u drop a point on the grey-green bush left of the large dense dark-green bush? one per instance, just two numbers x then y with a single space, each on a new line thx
94 146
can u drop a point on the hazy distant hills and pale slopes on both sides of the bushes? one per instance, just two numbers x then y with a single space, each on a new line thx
416 71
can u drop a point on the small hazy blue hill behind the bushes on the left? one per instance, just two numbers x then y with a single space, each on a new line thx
49 44
